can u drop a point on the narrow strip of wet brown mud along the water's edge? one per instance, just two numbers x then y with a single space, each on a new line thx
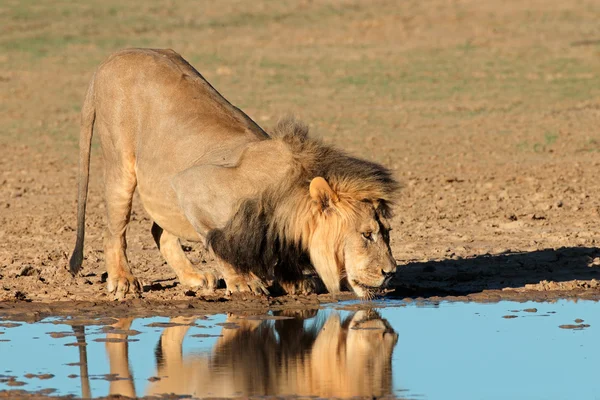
88 311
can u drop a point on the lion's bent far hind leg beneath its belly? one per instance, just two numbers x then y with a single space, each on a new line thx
170 248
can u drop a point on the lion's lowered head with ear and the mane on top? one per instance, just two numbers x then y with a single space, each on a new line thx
346 231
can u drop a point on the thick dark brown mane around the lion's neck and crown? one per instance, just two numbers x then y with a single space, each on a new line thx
261 236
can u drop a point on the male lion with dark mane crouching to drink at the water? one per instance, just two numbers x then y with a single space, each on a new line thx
267 206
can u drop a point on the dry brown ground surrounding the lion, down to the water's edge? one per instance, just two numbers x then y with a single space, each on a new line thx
487 112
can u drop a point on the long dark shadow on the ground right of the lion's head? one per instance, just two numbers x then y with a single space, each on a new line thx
496 272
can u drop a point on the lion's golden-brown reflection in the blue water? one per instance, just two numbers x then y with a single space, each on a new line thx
310 354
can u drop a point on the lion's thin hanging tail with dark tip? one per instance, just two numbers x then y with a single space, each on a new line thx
88 116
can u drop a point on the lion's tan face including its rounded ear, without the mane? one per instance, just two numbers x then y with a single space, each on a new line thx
351 238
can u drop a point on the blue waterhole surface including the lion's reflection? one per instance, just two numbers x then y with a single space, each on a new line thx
424 351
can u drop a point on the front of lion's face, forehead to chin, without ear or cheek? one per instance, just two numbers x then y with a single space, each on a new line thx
368 260
